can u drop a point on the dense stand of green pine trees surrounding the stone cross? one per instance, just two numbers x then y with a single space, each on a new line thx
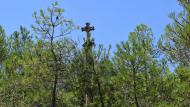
48 69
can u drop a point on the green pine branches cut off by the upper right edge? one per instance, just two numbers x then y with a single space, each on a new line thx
175 43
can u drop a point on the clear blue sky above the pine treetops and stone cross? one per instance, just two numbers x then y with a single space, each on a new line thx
113 19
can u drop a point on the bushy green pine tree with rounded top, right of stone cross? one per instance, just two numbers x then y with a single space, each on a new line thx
138 68
